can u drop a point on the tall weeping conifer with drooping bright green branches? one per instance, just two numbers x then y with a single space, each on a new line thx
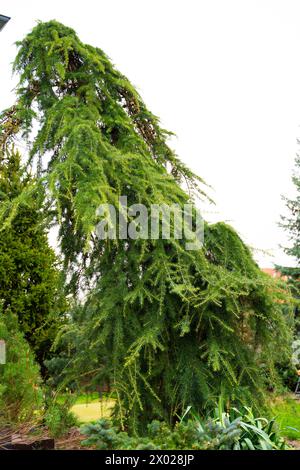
168 327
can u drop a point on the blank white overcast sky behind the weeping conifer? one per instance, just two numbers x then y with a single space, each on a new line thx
224 75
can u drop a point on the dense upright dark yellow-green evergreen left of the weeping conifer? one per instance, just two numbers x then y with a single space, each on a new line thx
29 278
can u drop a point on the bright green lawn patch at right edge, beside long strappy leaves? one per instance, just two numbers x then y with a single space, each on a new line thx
287 413
